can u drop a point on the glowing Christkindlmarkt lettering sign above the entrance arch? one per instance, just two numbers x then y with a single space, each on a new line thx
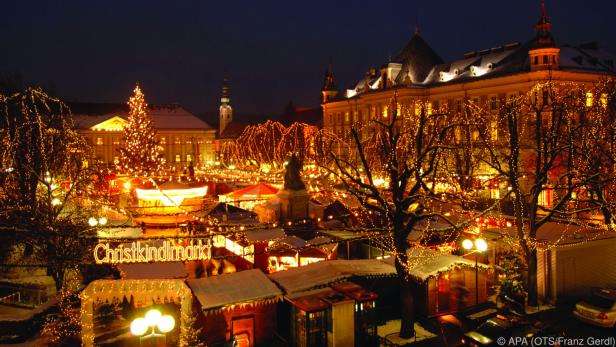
146 252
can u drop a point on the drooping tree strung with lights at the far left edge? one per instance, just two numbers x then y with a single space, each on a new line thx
46 194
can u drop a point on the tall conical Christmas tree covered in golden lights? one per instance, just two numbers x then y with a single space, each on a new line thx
139 153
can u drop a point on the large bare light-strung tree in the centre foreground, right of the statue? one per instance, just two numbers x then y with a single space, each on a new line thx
399 167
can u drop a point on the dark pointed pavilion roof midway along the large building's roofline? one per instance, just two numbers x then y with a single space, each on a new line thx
417 59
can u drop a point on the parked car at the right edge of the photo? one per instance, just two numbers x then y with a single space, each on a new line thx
599 309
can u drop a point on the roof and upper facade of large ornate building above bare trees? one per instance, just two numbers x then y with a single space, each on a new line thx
486 77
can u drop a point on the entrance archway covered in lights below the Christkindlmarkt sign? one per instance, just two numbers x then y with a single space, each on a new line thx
145 290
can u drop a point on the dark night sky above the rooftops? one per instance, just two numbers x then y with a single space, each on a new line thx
272 51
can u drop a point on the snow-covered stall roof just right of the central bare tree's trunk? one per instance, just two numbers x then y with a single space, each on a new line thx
425 263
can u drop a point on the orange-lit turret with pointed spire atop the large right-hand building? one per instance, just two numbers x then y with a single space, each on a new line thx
544 52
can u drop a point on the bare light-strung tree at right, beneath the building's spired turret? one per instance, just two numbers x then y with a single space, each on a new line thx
534 154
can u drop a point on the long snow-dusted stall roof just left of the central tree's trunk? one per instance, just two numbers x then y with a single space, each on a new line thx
323 273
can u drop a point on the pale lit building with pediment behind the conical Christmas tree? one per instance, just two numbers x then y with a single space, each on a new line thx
183 137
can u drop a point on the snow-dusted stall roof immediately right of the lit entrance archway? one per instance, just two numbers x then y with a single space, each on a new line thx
234 289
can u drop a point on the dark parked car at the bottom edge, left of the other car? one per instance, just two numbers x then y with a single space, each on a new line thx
488 332
